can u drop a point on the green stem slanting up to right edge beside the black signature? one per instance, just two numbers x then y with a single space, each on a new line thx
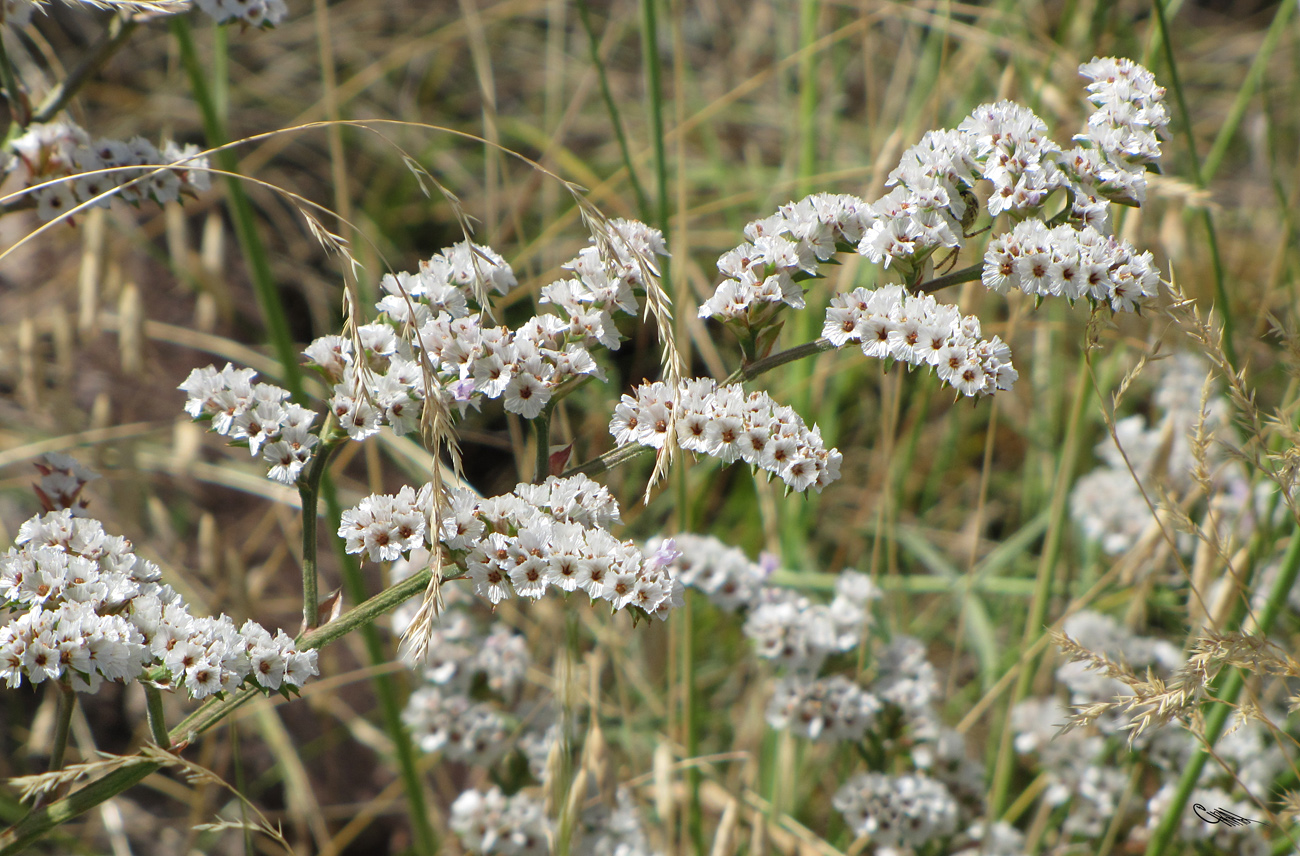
1227 698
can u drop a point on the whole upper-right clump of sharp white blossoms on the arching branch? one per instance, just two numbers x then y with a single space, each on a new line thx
929 207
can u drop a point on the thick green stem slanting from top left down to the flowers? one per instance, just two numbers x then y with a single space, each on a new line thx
241 213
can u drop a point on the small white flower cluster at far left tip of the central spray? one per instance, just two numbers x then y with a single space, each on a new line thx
255 414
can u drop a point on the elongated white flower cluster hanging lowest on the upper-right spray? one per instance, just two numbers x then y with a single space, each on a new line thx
920 331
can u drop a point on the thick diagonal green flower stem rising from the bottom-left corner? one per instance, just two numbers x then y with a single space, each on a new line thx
38 823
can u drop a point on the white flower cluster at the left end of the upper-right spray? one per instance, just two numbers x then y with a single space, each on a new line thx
782 248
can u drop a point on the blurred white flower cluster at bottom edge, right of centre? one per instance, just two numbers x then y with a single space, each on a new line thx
898 811
